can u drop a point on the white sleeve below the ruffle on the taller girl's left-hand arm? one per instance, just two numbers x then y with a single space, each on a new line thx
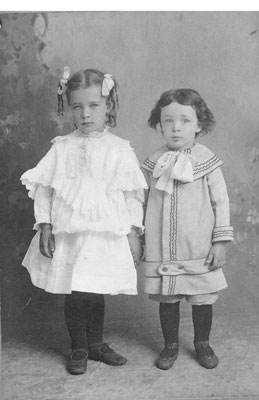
42 205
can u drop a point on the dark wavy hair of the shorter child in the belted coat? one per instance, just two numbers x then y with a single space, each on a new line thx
186 97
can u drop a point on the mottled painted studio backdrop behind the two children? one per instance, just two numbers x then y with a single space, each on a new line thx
216 53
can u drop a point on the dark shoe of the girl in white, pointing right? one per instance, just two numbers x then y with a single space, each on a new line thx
105 354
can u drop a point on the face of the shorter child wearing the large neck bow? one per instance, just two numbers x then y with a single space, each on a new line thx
179 125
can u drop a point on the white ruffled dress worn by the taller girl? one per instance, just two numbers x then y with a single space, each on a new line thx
91 190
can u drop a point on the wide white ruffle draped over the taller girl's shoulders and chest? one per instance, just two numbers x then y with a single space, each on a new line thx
85 192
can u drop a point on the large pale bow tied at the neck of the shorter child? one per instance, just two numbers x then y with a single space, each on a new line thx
173 165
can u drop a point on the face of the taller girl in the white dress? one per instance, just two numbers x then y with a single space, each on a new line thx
89 109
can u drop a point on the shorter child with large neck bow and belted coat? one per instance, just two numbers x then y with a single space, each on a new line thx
186 222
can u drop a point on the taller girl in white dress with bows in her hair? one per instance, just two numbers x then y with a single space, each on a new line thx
88 193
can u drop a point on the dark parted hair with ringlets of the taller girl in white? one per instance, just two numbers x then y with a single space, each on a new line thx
91 77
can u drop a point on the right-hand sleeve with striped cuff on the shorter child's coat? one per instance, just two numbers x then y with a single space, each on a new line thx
220 203
